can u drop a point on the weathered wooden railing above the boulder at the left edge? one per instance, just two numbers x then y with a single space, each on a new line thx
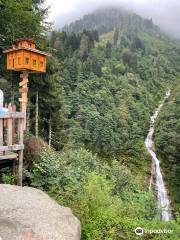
11 137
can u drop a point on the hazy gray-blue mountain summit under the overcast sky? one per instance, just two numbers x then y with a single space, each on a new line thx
105 20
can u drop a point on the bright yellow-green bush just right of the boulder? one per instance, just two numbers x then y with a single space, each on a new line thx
98 209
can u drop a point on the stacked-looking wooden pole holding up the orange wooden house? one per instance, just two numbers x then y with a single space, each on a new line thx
24 91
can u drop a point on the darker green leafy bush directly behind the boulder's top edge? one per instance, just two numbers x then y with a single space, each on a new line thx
53 170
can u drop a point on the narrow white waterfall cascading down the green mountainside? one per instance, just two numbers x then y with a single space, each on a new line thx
162 196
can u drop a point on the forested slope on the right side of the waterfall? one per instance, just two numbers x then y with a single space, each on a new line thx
168 143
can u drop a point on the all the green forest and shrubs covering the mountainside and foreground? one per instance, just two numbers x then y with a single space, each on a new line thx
95 101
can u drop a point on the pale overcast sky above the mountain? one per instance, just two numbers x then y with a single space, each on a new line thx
165 13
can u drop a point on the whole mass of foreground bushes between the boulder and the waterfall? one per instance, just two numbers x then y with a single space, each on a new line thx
106 198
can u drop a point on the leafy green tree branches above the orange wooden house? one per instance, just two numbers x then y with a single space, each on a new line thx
21 19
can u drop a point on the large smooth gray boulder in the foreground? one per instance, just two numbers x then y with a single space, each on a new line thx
30 214
